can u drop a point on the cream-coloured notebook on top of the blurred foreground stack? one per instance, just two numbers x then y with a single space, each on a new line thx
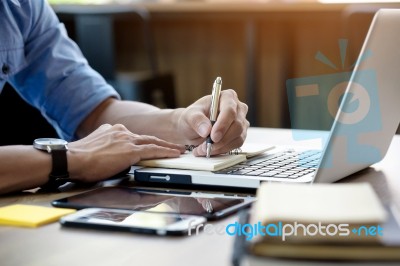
325 203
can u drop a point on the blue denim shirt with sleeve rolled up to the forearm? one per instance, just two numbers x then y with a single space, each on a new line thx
45 67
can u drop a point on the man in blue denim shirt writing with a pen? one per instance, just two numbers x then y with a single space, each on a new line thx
107 135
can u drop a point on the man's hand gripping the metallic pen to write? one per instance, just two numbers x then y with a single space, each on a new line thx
229 131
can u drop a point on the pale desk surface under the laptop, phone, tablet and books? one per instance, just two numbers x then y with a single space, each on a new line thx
54 245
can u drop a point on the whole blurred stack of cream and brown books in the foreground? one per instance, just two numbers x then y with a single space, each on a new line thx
333 221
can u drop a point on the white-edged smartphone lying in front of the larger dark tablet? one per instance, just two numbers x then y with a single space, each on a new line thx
133 221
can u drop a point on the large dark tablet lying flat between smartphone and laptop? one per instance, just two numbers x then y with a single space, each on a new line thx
210 205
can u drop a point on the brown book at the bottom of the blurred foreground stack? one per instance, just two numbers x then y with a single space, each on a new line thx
385 248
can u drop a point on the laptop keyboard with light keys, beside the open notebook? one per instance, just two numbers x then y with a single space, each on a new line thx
285 164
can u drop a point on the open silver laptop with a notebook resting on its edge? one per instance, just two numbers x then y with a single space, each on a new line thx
367 117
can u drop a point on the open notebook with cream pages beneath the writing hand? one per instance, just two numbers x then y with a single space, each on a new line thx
189 162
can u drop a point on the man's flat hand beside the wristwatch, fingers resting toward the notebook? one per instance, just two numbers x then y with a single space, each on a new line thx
111 149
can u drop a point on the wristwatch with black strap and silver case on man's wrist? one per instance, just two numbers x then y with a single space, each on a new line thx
58 149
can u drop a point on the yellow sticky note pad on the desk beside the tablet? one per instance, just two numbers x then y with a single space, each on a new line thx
30 215
